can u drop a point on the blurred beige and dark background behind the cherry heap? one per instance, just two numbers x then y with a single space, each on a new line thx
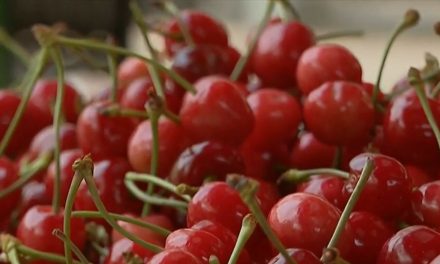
377 18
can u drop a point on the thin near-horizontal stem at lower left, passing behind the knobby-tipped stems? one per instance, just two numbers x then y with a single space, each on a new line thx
93 214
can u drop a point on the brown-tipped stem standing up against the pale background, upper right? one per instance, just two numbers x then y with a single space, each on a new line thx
411 18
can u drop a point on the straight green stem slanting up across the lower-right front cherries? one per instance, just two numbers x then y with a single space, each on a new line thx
354 197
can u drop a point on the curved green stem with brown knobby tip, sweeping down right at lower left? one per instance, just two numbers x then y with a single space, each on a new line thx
84 169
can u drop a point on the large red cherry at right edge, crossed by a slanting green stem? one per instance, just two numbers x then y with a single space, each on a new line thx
407 133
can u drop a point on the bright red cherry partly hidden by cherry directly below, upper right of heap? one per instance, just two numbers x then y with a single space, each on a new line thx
326 62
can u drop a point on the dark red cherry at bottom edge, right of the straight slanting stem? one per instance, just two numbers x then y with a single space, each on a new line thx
370 233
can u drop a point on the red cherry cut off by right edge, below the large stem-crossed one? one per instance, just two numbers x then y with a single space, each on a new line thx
426 204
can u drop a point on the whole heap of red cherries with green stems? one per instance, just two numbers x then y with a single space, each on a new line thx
260 161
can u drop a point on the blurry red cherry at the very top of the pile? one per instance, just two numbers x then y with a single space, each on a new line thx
203 28
